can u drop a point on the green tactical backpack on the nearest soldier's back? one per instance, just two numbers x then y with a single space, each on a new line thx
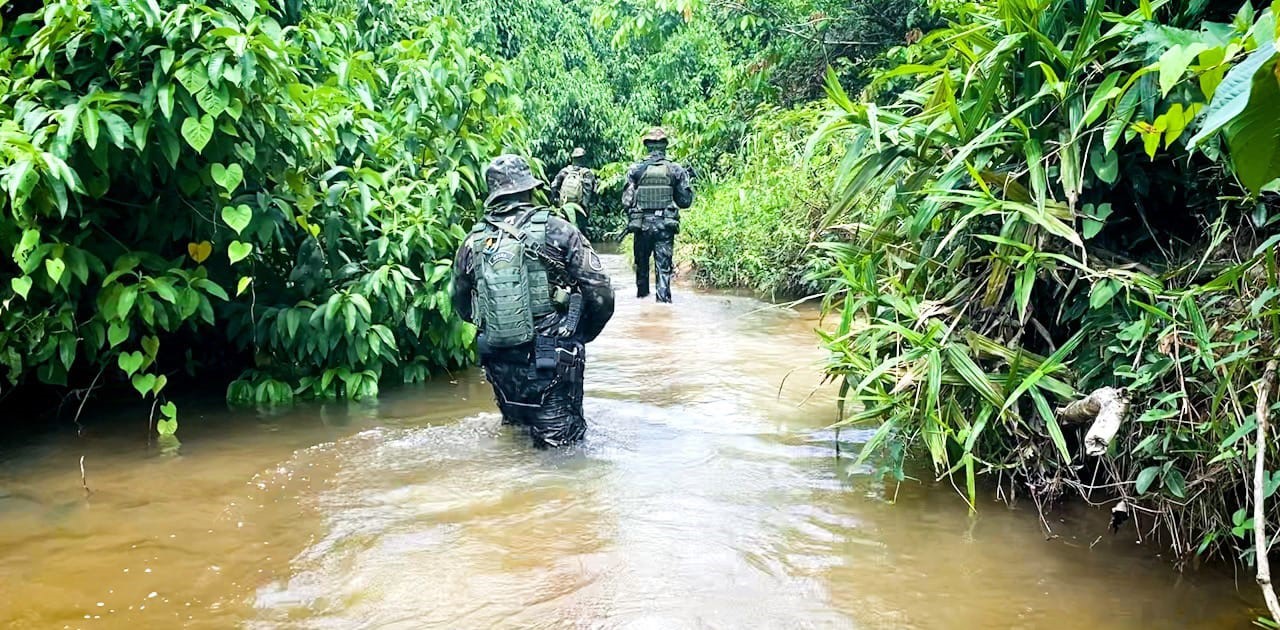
513 287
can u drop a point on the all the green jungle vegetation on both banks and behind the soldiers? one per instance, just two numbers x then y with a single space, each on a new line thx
1004 207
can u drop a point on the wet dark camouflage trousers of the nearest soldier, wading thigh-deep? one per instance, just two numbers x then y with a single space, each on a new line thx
548 403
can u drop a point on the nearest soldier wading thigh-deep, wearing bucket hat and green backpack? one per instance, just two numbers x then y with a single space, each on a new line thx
538 294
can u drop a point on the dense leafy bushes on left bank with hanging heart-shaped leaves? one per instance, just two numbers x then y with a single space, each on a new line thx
203 185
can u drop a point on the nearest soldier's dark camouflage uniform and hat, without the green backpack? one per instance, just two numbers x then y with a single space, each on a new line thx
547 403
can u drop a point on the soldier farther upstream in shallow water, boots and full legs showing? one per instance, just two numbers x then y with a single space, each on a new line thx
655 193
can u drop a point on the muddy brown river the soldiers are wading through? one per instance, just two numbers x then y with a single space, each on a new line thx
708 495
